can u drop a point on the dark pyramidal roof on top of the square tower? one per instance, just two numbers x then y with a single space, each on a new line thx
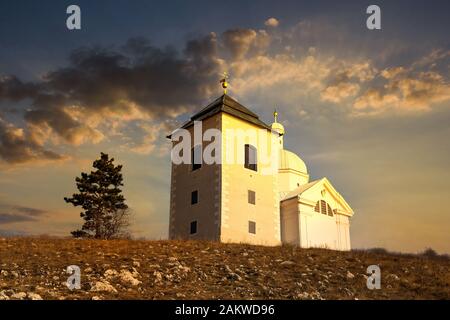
228 105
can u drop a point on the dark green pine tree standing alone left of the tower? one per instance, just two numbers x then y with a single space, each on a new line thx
105 213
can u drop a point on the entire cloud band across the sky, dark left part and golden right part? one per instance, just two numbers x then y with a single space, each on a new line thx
132 92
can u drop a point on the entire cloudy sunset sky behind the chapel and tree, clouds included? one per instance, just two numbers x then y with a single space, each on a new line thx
369 109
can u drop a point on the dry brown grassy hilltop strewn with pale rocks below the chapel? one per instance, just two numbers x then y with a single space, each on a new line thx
36 268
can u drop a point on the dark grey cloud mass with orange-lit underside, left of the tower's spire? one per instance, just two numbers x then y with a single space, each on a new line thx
160 83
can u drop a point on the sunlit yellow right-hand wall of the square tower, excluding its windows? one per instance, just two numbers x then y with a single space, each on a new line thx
236 181
